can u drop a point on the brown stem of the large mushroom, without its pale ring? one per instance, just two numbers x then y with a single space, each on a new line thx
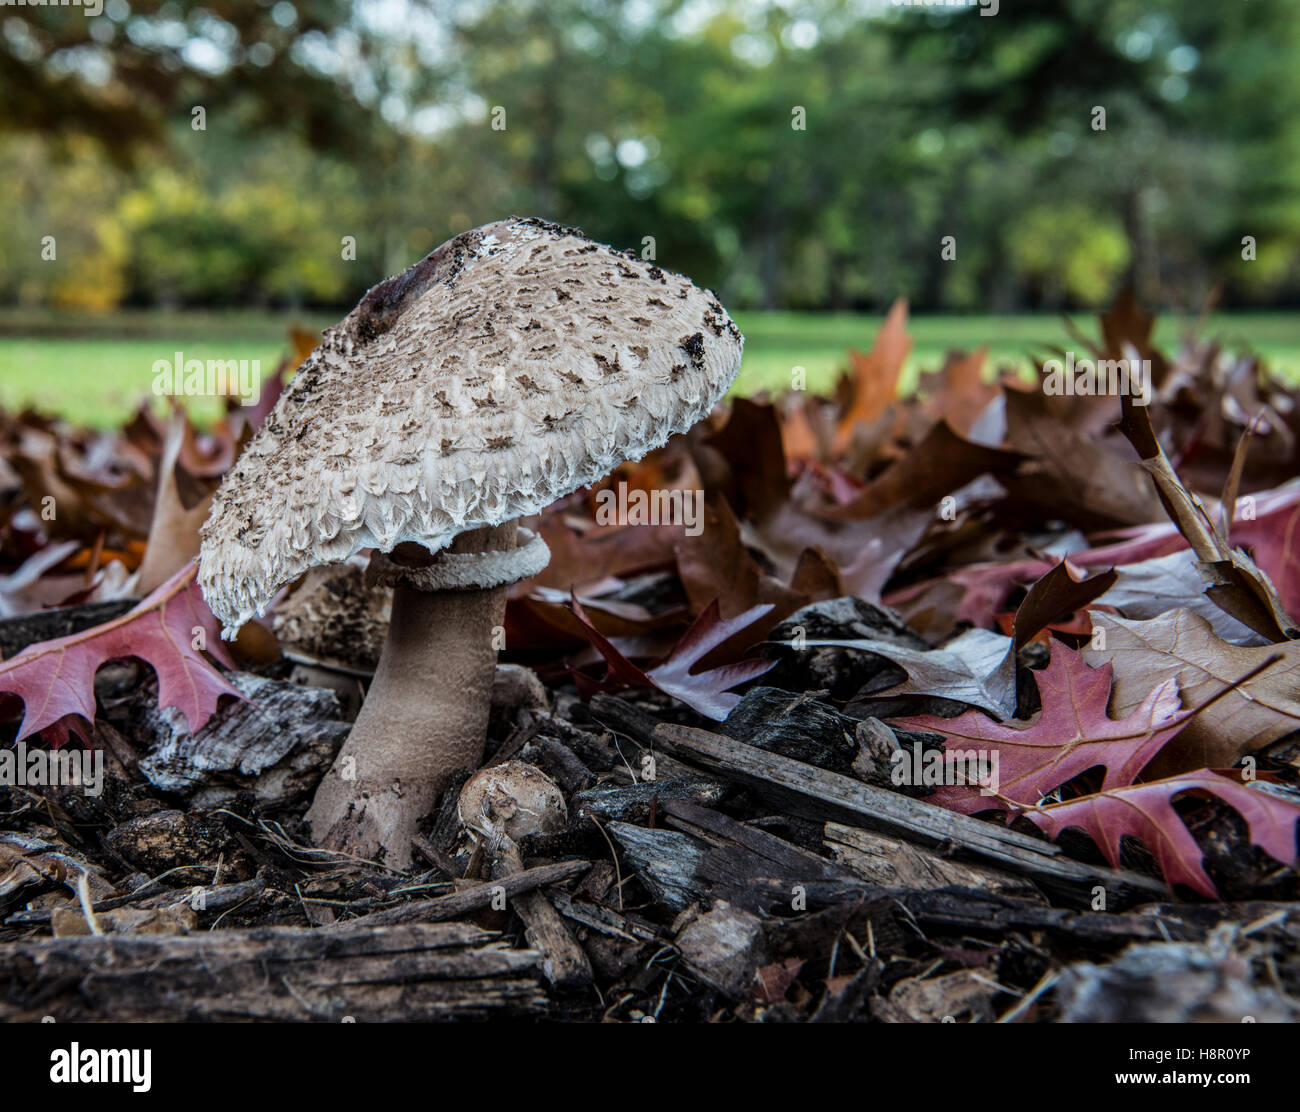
424 717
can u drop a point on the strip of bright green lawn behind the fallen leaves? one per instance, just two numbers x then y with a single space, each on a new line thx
94 371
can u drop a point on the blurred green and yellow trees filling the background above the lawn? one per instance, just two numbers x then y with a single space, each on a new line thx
669 123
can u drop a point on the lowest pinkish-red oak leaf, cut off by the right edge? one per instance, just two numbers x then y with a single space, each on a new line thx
1146 812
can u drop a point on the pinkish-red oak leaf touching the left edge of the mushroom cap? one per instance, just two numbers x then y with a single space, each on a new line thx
57 680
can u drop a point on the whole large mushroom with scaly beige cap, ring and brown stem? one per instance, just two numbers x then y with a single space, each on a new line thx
512 366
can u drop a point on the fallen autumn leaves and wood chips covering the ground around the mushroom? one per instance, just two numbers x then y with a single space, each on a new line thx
1099 594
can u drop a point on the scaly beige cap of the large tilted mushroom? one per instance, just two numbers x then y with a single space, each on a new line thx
512 366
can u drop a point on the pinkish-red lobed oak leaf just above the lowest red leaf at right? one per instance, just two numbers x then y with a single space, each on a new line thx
1072 734
